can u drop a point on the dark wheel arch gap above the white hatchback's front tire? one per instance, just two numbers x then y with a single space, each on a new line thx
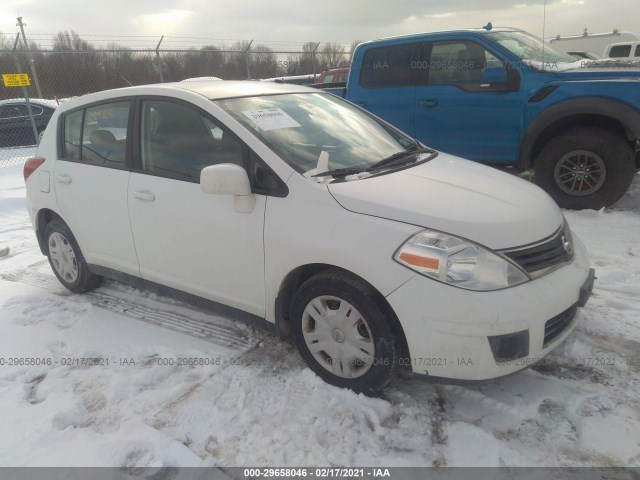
301 274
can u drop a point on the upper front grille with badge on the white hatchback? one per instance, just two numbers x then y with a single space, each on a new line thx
548 253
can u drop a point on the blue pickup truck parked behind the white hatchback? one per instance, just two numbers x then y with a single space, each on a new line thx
506 98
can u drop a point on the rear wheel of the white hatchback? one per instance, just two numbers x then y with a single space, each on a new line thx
66 259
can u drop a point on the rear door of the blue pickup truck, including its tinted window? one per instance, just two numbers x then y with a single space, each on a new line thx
385 83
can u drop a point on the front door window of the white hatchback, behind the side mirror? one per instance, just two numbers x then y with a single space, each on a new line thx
178 141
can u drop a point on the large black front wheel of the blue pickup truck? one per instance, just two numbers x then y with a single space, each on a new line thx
587 167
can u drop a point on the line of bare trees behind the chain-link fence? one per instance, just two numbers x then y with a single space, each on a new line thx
74 66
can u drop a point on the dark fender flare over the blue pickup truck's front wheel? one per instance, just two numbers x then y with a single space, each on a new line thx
612 115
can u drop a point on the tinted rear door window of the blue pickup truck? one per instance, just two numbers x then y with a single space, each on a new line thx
393 66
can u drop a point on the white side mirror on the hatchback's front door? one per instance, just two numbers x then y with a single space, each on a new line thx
229 179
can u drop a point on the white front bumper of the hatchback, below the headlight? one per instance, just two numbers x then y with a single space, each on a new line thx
465 335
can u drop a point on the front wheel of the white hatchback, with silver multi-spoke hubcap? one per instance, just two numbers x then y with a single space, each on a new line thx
350 343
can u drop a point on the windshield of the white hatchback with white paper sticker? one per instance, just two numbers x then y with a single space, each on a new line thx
299 127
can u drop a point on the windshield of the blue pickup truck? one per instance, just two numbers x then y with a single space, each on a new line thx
530 48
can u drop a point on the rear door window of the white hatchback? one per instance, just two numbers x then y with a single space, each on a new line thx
97 135
